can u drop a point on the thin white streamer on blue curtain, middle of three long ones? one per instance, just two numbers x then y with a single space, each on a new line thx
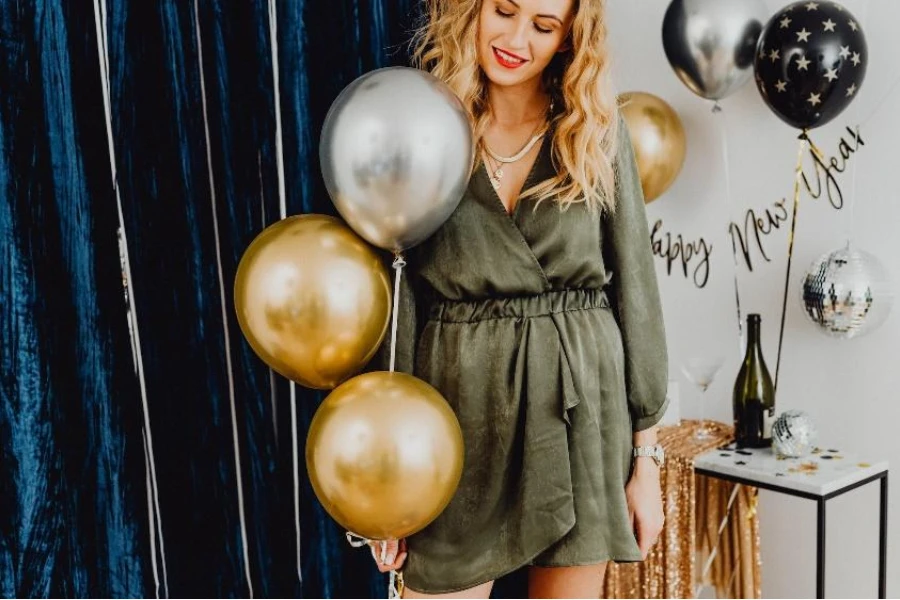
228 364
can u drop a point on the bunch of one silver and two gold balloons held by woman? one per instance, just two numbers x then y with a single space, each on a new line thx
384 450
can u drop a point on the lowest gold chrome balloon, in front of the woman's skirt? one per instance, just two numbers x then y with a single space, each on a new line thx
384 454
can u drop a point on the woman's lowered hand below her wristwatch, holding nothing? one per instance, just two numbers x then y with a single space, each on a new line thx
644 497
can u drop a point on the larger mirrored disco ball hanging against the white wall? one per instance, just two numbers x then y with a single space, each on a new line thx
847 293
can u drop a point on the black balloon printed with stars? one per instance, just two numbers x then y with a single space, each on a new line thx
810 62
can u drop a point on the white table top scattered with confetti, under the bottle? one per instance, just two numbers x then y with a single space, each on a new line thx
825 470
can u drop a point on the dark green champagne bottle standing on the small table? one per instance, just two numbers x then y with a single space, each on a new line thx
754 394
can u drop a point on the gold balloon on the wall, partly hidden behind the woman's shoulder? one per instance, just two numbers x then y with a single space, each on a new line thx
658 139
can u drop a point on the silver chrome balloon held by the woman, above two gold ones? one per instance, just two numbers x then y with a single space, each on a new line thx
396 153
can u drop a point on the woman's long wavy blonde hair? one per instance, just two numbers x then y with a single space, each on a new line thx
585 117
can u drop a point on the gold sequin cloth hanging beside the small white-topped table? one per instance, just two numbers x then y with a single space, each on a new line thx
695 507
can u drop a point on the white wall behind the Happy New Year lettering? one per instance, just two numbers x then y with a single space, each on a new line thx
851 388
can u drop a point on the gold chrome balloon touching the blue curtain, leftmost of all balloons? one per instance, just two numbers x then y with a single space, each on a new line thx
313 299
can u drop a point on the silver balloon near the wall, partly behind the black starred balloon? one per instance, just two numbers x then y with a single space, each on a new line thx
711 44
